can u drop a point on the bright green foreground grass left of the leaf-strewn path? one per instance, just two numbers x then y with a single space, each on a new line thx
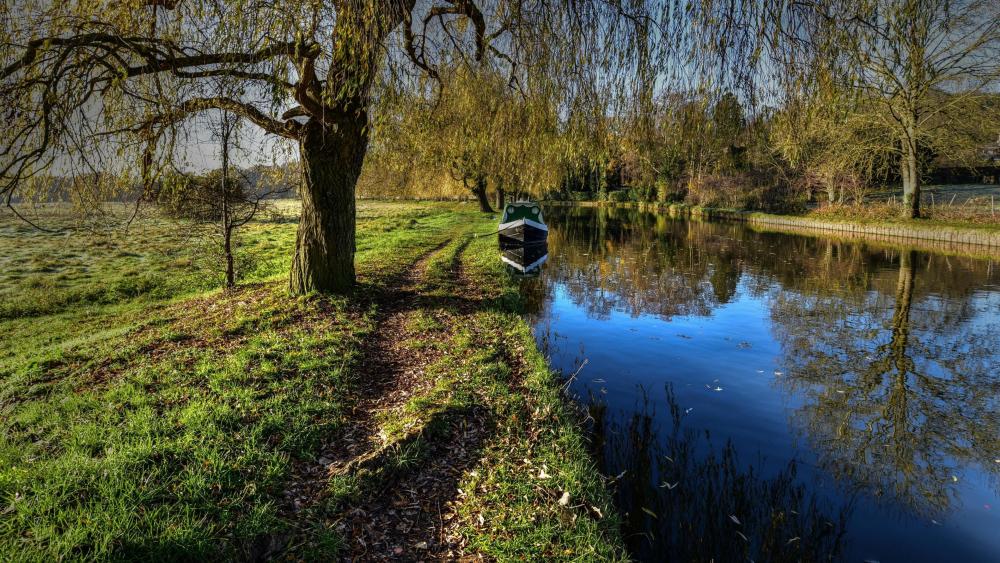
178 445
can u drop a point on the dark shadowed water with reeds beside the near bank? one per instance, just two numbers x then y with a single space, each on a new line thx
681 496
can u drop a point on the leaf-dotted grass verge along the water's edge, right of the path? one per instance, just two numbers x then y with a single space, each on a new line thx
512 508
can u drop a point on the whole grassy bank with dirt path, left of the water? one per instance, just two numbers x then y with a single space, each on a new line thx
170 420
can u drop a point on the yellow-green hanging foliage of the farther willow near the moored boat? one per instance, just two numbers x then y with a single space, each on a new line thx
478 132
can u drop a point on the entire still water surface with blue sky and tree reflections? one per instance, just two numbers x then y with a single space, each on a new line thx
776 397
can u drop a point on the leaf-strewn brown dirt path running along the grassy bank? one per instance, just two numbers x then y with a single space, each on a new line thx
406 510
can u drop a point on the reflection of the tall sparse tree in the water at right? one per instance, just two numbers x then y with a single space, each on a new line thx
899 382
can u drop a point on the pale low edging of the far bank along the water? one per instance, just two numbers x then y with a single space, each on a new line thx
977 240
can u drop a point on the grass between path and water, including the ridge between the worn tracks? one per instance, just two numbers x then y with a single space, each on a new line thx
510 506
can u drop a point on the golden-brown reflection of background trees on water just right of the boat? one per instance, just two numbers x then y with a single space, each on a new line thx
639 263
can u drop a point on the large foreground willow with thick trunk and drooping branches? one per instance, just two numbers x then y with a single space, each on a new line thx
104 85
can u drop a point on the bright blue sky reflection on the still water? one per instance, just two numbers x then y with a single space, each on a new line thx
732 374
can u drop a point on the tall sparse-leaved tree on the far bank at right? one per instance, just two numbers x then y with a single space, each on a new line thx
916 71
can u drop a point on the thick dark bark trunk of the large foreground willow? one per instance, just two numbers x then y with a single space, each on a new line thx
324 247
